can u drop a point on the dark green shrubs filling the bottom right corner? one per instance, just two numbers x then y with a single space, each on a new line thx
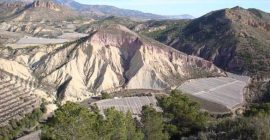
252 128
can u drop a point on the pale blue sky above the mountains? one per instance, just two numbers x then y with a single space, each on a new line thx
195 8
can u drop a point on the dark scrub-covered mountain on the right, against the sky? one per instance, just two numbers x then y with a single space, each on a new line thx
234 39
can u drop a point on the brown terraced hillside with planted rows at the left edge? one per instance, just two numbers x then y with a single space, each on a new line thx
16 97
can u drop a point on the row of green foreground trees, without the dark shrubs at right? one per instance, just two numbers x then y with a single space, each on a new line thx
180 117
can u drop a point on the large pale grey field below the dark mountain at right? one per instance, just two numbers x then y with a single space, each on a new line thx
222 91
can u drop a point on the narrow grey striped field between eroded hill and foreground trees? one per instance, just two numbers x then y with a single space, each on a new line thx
132 104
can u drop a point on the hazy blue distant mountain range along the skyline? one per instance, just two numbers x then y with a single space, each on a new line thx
98 11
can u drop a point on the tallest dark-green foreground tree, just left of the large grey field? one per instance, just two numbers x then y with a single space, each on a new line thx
183 116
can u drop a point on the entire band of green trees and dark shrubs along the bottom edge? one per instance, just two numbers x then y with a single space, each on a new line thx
180 118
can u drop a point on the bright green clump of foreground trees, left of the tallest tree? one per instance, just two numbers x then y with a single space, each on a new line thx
74 122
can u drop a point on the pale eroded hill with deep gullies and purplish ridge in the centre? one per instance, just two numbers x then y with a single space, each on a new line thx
112 58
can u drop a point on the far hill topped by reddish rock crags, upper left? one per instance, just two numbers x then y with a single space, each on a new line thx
40 10
